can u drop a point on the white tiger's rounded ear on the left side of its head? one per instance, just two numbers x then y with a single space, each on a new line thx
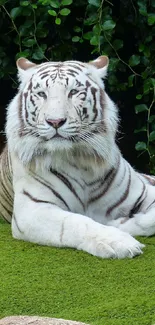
25 69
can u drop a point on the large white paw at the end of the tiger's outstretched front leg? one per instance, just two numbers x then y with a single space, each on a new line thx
110 242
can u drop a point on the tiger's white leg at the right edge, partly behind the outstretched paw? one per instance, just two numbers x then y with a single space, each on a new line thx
140 224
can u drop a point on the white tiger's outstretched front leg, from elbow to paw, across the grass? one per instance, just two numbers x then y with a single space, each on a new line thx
47 224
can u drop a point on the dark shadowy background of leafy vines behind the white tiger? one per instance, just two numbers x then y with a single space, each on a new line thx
55 42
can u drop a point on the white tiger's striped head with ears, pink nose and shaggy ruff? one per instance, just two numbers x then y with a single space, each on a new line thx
61 106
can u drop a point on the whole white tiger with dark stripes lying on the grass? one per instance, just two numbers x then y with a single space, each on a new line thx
71 186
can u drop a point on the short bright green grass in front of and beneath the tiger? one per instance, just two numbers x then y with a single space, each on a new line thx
70 284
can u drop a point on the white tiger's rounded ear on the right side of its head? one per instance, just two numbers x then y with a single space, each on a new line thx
101 63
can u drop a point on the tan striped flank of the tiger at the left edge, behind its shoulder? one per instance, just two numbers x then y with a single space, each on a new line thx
6 187
